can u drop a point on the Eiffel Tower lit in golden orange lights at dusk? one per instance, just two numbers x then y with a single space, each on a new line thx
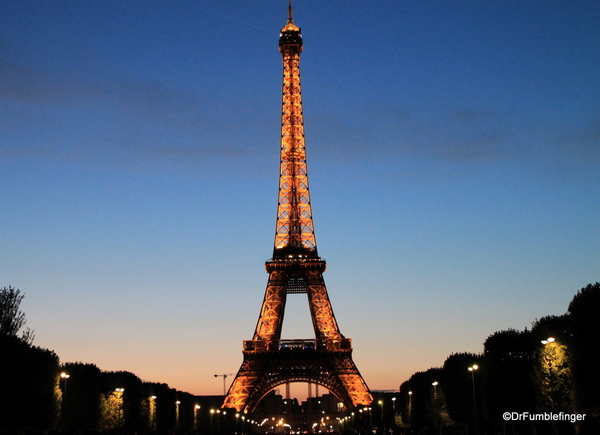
296 267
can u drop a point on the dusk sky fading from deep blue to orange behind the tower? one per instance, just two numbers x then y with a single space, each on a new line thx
453 153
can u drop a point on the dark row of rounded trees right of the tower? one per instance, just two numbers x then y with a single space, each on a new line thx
551 368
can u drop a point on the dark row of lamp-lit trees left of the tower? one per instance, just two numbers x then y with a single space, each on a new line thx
39 395
